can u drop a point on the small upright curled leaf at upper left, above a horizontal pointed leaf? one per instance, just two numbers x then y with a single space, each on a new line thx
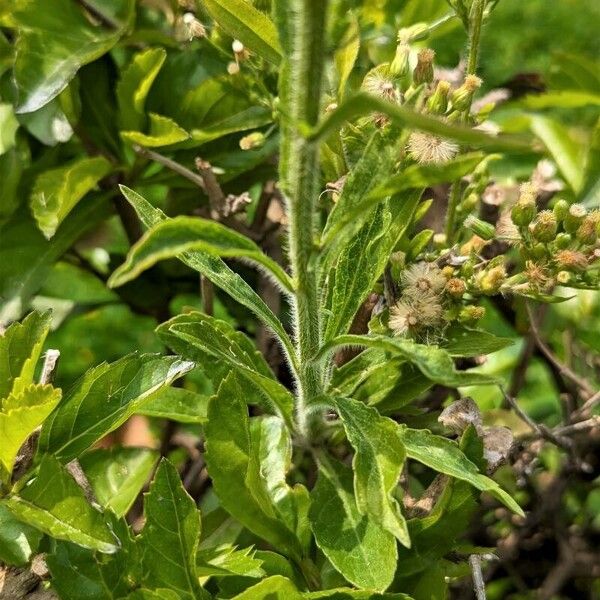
135 83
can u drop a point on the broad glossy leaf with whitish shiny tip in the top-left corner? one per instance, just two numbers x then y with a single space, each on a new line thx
46 58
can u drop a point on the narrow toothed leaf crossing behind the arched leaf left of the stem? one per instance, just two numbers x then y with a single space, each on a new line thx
214 269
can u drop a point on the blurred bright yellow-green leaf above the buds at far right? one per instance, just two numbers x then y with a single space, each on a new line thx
563 149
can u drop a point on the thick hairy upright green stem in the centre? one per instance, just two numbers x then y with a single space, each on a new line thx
303 36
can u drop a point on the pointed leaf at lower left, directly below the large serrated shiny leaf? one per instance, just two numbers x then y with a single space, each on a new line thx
53 503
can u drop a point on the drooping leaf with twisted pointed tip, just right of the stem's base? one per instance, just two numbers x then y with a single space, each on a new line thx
378 461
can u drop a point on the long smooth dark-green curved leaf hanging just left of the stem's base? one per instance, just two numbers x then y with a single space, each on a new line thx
233 467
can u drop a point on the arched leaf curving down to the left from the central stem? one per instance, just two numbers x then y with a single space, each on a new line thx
183 234
